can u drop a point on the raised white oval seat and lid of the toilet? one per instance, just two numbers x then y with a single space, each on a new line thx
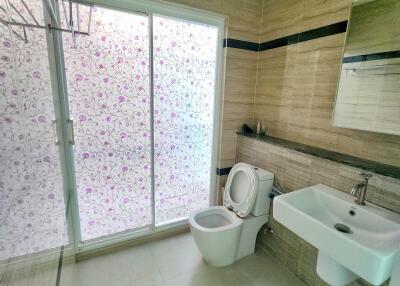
240 189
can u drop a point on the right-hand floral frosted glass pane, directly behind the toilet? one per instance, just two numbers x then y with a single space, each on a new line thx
184 92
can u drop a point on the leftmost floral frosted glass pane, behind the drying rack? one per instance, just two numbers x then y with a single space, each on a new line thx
32 212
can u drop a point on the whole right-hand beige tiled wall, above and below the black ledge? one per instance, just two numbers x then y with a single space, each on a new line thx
295 94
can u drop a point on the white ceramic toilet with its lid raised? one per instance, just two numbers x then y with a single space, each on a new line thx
227 233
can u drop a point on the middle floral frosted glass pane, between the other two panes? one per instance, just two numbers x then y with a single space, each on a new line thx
108 90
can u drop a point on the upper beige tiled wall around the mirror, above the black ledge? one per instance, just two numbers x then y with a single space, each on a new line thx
296 84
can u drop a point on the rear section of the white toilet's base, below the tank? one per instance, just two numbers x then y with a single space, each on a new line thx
250 227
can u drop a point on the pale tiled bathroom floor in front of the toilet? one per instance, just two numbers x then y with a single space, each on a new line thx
173 261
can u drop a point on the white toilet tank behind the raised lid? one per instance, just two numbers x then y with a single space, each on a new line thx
263 201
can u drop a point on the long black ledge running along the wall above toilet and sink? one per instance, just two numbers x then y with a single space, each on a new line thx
367 165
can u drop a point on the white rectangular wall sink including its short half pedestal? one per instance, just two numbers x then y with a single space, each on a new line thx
352 240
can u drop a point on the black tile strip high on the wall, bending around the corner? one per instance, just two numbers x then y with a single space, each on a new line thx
313 34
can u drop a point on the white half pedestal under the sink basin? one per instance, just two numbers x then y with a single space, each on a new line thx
333 272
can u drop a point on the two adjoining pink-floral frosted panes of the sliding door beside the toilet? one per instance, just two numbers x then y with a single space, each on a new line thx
141 101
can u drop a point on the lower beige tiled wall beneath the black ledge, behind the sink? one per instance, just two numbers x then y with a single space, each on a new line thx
295 170
